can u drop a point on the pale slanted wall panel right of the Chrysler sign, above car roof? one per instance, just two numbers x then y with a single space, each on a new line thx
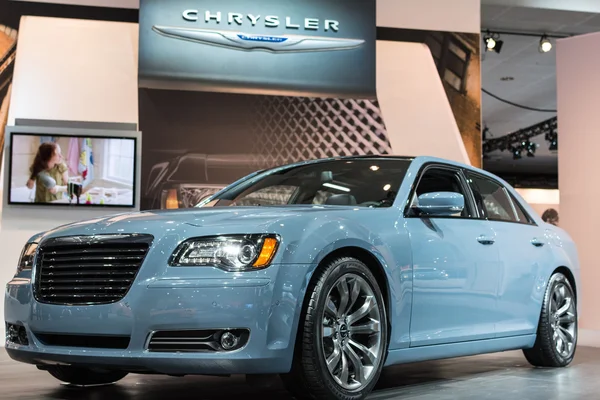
414 104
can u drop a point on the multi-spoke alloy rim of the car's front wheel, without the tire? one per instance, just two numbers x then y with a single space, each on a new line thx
352 337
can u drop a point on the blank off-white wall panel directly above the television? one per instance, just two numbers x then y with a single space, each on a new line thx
78 70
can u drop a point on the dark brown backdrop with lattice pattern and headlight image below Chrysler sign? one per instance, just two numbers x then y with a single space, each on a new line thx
246 133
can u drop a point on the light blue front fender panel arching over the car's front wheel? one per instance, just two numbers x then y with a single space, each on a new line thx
379 234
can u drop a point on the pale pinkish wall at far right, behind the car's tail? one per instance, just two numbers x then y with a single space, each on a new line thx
578 84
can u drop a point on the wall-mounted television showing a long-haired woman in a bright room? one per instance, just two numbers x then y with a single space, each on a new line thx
92 171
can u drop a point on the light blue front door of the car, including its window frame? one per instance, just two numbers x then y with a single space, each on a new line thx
455 266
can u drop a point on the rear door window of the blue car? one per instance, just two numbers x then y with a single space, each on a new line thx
492 199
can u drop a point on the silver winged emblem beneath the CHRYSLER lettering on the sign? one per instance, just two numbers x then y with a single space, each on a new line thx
250 42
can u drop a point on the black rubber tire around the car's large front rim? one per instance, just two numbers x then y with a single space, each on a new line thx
310 377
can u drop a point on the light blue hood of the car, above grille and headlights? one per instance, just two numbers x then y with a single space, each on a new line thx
215 220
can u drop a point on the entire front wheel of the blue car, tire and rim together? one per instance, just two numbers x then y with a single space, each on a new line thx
343 334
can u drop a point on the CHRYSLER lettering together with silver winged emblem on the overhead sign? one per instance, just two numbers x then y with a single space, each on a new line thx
240 40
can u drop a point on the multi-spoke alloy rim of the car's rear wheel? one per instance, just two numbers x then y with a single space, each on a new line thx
563 320
